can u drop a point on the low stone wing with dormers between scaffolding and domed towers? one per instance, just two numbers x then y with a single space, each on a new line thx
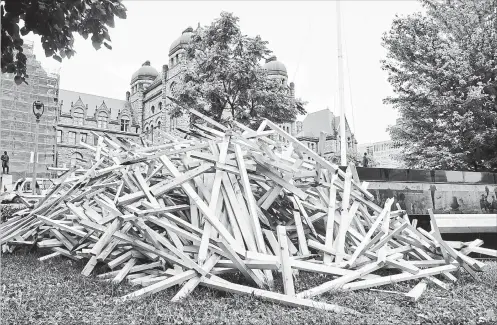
82 117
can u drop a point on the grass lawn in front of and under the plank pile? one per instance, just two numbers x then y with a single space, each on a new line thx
54 292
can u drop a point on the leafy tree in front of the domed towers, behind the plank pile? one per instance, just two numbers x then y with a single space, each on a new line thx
224 78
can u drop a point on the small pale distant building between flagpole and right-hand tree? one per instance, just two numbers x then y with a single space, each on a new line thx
384 154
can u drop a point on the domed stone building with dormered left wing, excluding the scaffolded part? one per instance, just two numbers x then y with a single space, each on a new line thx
145 112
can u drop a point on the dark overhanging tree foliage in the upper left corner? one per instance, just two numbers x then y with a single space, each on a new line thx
55 21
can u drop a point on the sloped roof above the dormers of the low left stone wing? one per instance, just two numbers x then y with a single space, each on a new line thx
93 102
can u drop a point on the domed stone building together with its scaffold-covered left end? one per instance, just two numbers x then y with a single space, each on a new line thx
75 119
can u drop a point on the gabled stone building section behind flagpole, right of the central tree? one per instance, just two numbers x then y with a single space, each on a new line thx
325 121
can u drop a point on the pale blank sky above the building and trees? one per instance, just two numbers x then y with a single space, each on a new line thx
302 34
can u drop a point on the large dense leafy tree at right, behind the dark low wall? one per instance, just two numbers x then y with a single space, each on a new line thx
443 69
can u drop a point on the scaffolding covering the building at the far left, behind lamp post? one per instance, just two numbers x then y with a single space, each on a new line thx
18 123
